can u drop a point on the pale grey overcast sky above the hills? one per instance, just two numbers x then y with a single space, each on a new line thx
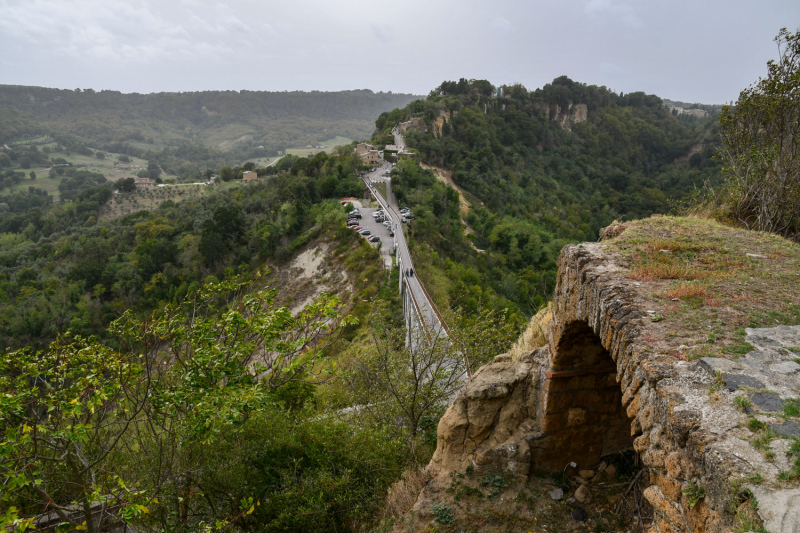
695 51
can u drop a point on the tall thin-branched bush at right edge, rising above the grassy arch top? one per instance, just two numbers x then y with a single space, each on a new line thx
761 148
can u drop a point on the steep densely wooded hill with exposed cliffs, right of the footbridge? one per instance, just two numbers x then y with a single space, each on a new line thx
539 173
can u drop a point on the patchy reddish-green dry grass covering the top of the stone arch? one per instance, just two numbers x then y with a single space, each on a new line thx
708 282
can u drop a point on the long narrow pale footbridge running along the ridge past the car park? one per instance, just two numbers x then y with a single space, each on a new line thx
426 307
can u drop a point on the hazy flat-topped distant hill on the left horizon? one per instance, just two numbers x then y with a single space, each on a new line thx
226 121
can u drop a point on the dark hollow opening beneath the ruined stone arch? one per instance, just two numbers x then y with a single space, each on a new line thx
580 402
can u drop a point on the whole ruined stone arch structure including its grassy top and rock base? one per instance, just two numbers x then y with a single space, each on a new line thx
674 340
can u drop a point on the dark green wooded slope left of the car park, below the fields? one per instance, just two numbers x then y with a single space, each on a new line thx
63 270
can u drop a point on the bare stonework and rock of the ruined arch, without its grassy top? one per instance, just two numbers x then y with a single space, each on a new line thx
610 380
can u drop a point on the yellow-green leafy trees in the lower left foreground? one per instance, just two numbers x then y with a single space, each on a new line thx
80 419
